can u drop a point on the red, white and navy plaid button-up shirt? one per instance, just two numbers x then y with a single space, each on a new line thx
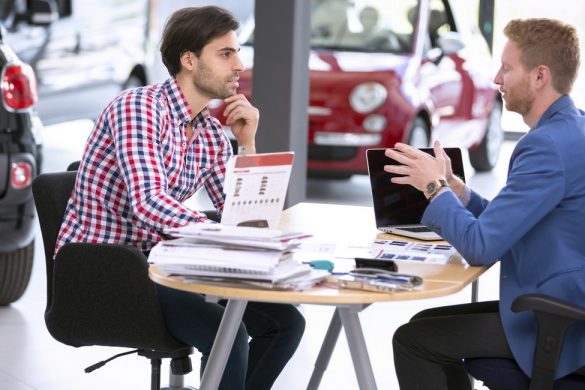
138 167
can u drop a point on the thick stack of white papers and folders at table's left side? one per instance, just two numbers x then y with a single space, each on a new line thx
229 252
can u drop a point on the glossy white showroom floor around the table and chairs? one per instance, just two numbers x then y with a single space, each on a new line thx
31 360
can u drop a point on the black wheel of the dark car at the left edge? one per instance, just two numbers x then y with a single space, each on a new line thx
15 270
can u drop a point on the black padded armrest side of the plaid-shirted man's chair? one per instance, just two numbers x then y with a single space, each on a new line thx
102 295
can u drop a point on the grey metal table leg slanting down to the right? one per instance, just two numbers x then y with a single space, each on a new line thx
357 347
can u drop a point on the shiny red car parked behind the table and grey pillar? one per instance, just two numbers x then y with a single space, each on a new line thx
386 71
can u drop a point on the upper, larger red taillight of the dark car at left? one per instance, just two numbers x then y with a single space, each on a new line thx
19 87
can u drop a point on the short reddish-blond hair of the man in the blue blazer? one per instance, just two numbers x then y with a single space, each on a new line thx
547 42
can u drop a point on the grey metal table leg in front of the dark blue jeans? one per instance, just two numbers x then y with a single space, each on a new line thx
222 346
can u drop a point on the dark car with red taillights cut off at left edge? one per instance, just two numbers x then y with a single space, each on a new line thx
20 155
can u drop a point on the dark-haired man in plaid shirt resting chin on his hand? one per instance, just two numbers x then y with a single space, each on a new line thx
154 147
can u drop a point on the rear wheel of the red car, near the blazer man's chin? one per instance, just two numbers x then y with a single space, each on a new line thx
485 157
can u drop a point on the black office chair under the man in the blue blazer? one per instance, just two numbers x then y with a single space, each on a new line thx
554 317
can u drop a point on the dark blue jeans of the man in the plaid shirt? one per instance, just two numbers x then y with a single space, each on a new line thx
267 338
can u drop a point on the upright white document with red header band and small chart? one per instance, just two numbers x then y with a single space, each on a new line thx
255 186
